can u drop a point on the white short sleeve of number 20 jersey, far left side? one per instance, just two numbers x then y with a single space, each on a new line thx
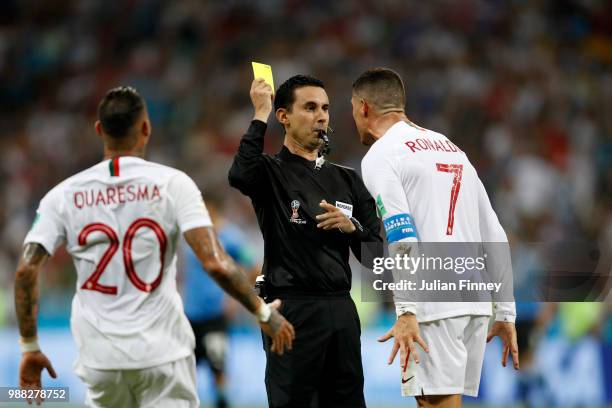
48 227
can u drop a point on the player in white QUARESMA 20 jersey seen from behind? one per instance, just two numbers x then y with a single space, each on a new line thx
120 221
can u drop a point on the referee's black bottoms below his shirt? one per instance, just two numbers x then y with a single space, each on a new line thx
324 367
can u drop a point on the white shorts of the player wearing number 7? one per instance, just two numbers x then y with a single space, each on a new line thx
454 362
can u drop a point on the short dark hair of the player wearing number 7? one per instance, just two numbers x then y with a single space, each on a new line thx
382 87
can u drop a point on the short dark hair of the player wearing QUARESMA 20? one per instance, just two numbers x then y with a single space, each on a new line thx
119 110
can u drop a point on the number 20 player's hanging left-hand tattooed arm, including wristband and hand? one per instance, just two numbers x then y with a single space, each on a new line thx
33 361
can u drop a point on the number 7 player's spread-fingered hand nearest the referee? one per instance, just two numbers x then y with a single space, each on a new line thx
407 335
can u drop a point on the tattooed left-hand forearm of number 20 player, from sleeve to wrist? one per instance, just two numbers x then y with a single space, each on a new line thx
26 288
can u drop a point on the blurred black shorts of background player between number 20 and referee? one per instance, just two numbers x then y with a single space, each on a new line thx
211 342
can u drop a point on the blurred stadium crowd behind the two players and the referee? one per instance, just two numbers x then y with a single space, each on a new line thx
523 87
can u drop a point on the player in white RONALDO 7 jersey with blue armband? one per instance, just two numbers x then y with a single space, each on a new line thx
412 172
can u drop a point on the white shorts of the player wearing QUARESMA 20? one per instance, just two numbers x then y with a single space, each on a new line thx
168 385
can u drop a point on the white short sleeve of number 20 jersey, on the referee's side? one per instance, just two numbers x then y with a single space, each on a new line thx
190 209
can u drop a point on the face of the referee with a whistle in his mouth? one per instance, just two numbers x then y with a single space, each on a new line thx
309 114
